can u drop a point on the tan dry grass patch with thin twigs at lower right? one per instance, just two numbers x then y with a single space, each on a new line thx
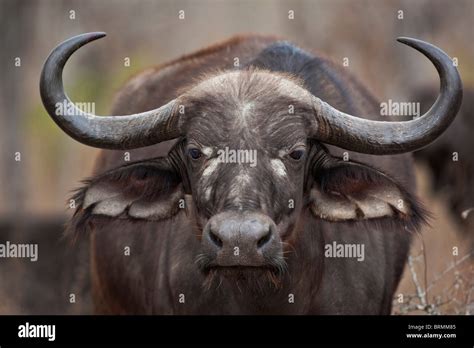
437 279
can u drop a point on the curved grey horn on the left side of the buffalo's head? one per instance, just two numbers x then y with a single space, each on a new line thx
111 132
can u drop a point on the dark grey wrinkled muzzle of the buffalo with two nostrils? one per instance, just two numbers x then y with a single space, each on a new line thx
241 239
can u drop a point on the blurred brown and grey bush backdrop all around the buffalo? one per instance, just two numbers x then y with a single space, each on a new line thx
40 165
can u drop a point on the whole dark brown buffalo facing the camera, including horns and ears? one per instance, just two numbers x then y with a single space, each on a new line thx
271 186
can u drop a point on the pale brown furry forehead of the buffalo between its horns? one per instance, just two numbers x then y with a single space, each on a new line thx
267 105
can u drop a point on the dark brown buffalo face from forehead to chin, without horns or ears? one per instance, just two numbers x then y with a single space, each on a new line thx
245 154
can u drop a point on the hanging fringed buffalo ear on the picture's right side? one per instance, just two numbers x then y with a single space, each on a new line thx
349 191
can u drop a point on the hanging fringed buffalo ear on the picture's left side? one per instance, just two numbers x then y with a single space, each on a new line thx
149 190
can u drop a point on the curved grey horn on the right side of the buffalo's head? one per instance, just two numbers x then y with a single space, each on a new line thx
383 138
